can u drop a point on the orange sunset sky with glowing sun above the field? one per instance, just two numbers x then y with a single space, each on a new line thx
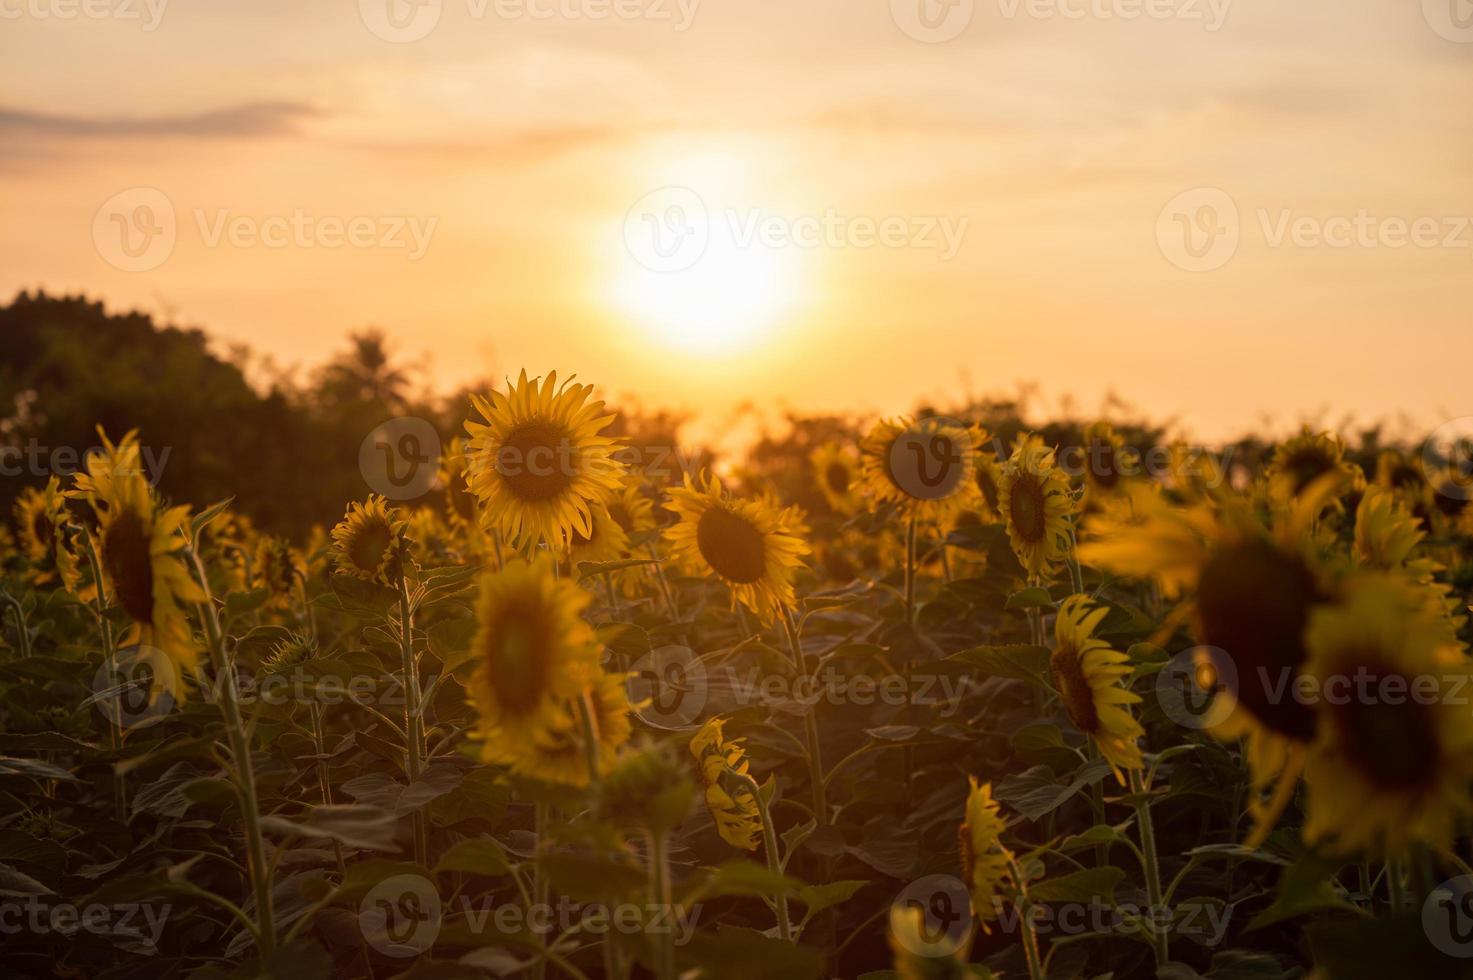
1067 155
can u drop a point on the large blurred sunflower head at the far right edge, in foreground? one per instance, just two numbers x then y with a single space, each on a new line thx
1393 758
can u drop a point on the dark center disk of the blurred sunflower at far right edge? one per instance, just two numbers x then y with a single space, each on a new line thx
1391 743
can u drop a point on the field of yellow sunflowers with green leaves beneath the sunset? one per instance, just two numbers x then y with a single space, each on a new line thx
924 699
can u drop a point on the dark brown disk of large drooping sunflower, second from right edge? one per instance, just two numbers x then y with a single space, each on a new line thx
1256 602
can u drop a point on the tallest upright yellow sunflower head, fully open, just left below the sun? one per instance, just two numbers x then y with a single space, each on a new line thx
538 465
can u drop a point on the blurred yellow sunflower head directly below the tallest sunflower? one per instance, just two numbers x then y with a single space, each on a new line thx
534 655
